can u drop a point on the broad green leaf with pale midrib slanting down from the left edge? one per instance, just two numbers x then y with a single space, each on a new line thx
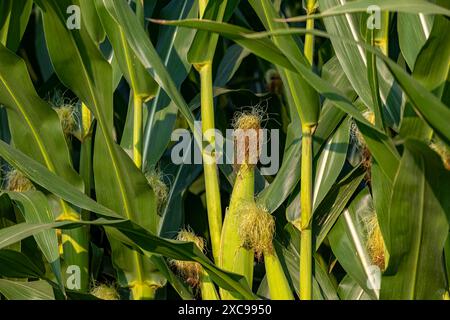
35 127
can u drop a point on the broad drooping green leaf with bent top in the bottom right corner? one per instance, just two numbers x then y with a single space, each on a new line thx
418 226
